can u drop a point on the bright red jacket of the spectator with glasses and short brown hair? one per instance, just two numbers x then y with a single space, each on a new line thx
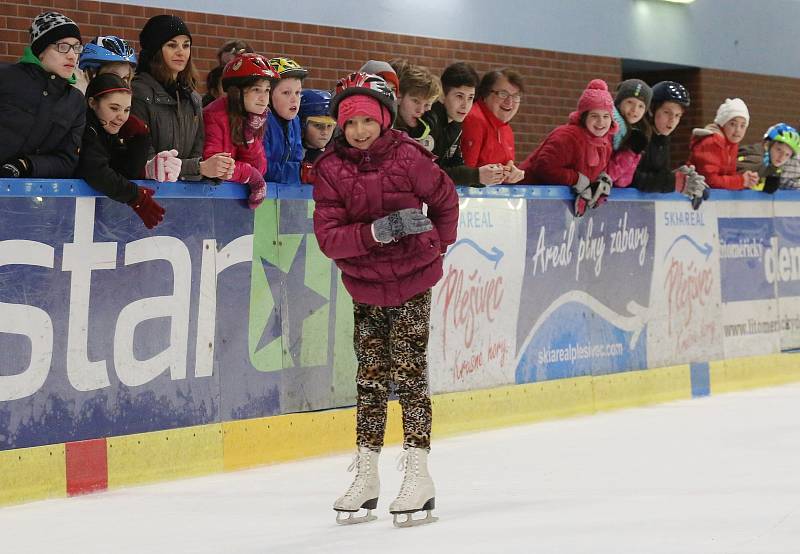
485 139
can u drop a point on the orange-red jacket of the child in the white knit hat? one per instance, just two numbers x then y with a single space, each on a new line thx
714 157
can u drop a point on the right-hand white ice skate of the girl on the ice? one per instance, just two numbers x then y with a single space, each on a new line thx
416 492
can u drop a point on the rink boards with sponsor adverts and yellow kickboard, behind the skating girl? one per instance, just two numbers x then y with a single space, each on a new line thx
223 338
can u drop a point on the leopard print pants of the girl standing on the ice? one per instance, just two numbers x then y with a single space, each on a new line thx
391 346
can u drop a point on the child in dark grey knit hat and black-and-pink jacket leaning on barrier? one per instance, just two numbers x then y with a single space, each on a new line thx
631 103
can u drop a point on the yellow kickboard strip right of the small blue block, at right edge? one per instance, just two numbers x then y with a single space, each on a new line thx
753 372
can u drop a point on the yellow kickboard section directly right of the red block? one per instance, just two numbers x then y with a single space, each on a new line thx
161 455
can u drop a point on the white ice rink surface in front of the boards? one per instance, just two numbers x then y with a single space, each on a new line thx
713 475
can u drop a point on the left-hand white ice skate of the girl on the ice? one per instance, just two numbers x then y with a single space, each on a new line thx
363 492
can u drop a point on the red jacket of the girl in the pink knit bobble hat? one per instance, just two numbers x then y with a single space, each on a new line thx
568 150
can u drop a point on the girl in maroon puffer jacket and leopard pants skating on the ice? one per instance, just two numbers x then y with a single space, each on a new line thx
369 193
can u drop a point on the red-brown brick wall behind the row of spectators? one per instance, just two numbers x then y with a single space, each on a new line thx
553 80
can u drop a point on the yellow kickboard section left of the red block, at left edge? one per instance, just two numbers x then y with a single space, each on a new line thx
36 473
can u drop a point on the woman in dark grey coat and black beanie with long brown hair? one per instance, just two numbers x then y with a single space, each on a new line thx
164 97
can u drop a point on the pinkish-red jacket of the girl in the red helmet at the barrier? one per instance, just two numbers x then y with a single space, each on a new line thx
219 139
